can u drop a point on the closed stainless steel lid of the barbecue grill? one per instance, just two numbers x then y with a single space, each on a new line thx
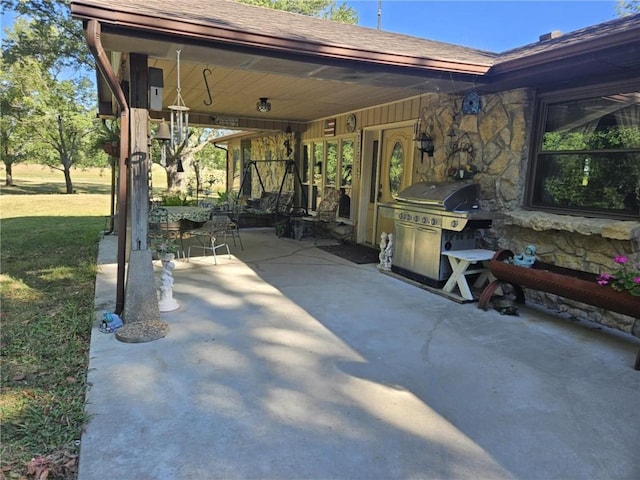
450 196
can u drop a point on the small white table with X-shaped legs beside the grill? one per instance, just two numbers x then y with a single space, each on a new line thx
460 261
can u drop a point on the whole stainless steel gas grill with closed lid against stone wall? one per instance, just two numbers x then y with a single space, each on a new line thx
430 218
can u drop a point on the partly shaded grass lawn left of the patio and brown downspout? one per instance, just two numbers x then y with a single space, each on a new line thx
49 245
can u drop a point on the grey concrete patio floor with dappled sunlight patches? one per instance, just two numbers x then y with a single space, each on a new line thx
286 362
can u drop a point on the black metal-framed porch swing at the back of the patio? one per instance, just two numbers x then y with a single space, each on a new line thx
271 209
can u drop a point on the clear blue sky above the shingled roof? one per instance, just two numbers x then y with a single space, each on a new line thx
493 25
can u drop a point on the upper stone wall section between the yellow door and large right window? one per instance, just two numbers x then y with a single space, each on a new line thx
498 137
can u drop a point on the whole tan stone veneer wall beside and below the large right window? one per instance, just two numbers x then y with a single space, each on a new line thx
499 141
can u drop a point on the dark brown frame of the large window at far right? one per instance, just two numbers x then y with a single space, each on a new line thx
542 101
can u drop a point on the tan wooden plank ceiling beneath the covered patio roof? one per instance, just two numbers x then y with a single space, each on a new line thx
221 83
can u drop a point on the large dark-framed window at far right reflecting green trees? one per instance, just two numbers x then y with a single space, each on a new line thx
586 155
